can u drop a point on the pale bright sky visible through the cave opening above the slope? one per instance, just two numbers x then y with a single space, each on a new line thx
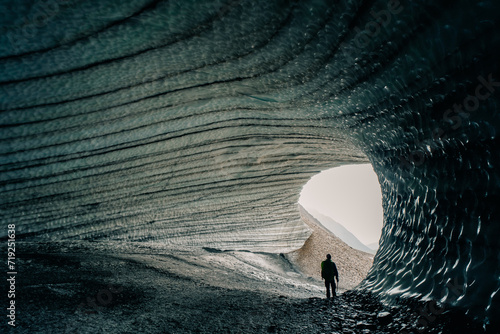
351 196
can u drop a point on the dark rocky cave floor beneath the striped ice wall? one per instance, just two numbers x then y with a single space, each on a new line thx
84 287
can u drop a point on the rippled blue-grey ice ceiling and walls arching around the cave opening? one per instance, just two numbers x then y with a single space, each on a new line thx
198 122
